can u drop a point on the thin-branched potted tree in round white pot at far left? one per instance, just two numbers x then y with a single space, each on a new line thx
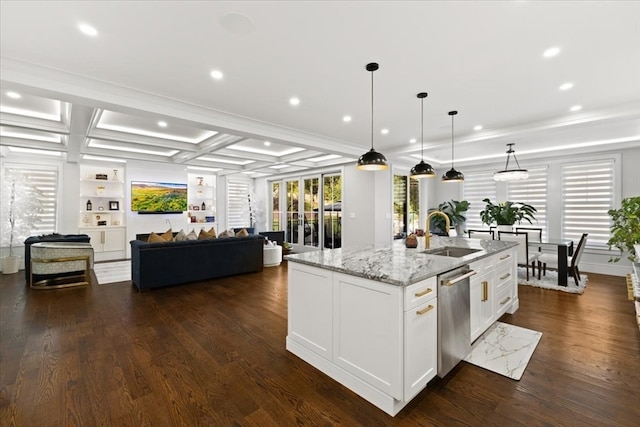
20 207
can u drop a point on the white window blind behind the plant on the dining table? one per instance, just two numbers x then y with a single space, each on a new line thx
532 191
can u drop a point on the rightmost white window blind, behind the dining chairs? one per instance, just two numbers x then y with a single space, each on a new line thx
587 195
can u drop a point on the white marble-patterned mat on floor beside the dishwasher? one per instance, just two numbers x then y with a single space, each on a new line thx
504 349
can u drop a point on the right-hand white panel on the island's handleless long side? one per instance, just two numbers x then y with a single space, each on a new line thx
367 331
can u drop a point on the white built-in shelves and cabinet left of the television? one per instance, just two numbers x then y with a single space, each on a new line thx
102 210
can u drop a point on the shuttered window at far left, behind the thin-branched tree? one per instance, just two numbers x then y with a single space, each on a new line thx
34 204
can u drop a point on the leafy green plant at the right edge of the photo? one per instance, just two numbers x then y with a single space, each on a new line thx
625 228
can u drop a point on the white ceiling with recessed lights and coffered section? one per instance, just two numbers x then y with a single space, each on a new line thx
151 62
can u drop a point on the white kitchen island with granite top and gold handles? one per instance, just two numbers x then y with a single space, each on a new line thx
368 316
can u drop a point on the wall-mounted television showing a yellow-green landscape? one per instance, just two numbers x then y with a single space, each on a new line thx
158 197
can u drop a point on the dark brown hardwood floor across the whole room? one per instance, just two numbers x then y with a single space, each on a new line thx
213 354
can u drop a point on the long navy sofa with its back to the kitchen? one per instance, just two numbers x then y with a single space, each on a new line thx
155 265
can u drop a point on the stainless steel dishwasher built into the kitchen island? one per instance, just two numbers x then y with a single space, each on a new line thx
454 329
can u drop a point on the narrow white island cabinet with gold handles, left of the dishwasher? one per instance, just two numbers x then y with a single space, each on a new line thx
420 336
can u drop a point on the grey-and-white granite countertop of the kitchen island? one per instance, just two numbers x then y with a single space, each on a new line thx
396 264
